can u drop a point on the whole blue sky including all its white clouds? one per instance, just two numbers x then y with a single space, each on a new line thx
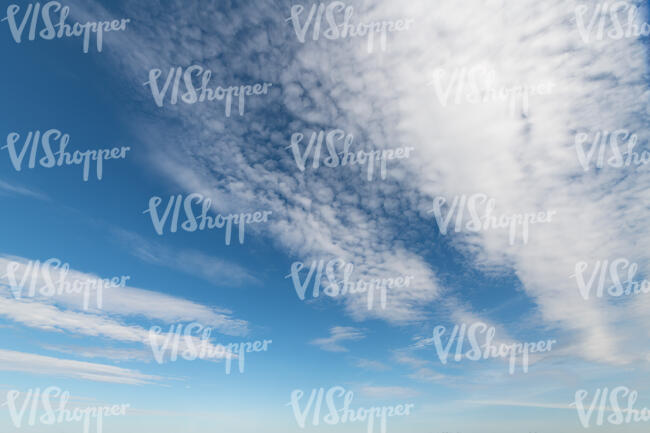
385 96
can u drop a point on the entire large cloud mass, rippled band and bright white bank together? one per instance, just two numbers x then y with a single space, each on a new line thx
526 162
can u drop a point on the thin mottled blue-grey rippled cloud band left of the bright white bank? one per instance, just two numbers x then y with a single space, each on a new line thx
305 222
